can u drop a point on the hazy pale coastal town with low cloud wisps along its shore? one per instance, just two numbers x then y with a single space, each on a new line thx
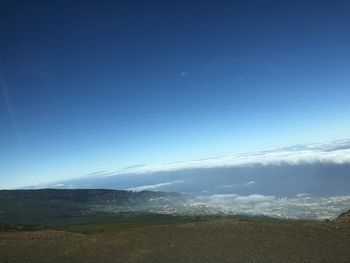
306 207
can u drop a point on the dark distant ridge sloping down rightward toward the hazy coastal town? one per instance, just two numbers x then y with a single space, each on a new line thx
57 205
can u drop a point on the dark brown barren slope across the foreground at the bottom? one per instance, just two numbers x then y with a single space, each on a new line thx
212 241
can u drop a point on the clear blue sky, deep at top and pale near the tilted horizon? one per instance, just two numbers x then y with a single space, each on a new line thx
102 85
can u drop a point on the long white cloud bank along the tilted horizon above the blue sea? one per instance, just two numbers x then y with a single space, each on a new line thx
337 152
